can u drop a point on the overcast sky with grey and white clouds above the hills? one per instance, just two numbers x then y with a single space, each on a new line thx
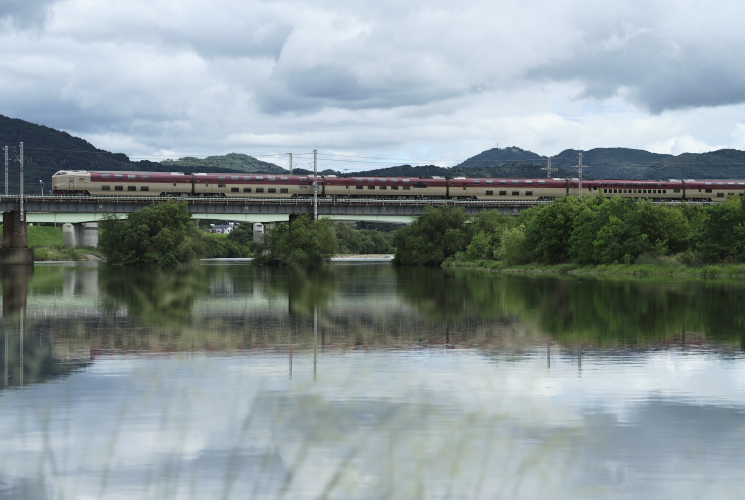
420 81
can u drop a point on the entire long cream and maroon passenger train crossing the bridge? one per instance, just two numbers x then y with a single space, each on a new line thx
332 187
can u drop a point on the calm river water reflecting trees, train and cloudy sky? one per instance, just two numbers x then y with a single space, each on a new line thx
366 381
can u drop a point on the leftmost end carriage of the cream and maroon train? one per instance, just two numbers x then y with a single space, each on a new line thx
99 183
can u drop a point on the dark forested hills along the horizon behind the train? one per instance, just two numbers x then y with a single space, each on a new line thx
48 150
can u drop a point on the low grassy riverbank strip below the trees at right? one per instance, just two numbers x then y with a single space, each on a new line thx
669 269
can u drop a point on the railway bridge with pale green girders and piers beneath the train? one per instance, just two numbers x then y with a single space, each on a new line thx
82 213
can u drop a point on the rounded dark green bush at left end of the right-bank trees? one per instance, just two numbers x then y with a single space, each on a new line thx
433 237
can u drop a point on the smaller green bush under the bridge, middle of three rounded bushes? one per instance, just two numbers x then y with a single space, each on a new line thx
304 243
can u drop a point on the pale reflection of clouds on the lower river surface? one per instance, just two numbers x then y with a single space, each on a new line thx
398 424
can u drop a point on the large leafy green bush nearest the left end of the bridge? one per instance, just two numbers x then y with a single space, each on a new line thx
162 234
